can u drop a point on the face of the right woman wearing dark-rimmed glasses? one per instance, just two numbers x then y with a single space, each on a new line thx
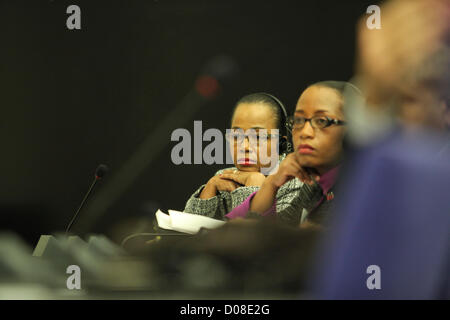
320 149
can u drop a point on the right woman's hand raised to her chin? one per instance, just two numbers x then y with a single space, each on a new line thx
290 169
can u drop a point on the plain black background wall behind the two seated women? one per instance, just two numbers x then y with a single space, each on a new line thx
73 99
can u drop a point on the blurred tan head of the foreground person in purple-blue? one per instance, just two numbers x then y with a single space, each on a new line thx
403 67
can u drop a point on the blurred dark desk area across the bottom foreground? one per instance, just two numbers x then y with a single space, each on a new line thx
165 265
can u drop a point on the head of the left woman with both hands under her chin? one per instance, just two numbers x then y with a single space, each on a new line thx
258 116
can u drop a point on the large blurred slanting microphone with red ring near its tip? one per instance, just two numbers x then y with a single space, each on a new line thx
215 73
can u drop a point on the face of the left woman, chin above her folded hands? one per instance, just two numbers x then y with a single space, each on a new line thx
256 116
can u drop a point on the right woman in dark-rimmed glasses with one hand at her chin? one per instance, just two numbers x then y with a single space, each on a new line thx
301 191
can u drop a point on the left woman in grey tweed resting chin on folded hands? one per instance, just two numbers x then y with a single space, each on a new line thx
258 139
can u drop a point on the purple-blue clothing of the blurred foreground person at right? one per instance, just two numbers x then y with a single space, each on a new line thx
399 222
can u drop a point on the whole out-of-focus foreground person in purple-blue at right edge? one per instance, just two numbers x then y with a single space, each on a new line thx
391 234
